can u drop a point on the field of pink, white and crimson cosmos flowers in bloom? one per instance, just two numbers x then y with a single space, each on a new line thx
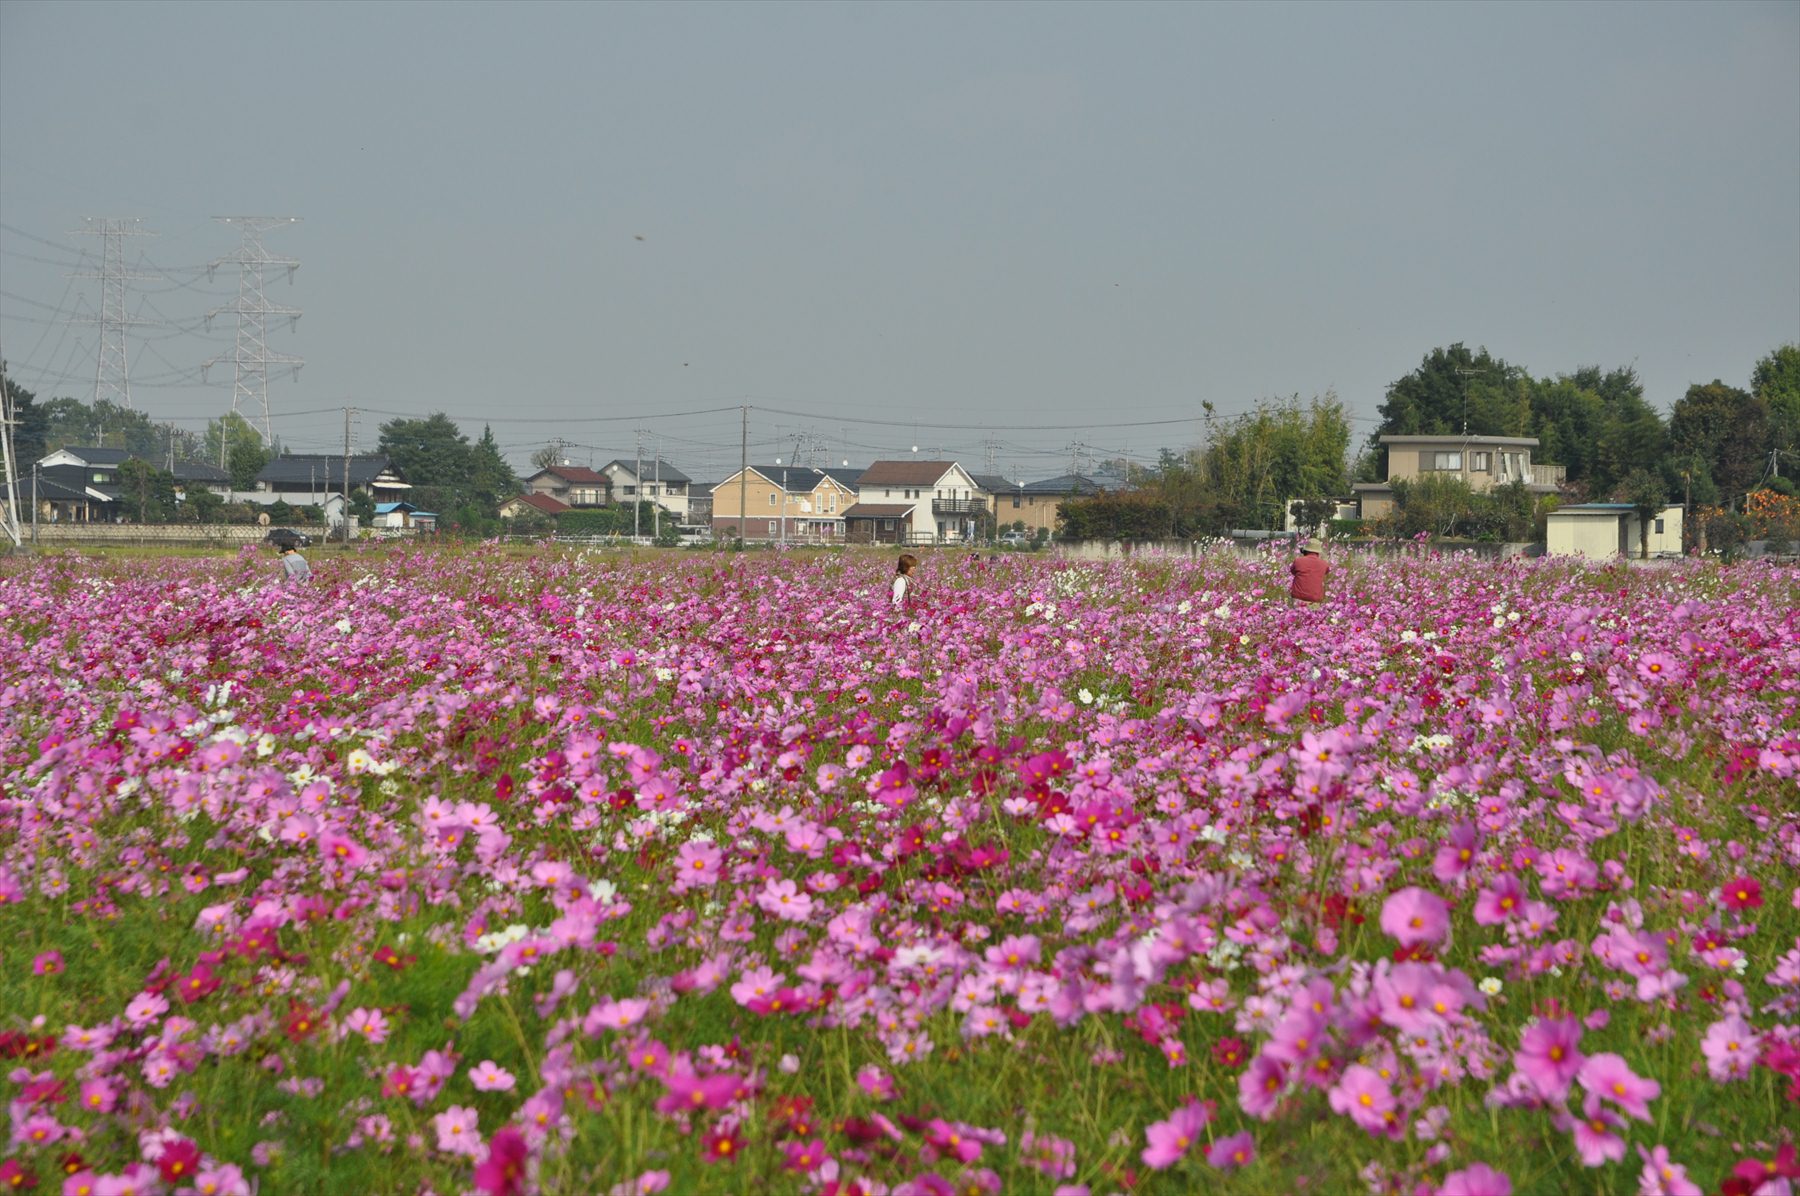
526 873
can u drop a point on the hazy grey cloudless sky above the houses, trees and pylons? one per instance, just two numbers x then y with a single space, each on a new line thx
1011 215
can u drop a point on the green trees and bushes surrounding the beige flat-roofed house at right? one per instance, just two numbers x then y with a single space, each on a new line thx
1716 449
